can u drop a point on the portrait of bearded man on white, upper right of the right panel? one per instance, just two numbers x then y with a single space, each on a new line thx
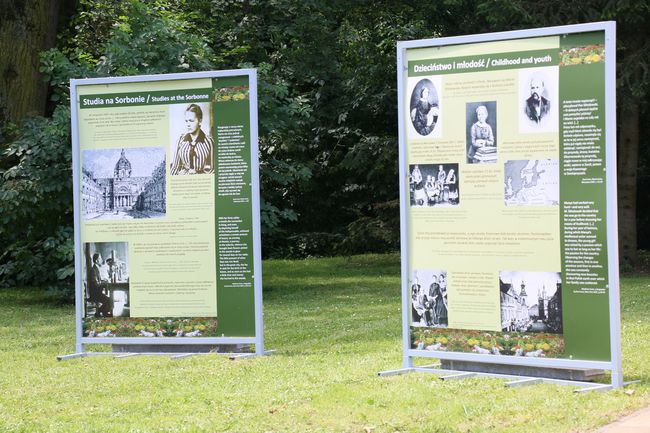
538 100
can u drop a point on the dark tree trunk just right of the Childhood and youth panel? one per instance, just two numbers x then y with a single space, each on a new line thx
628 158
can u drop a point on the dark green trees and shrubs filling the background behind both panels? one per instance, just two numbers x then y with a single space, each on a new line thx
328 124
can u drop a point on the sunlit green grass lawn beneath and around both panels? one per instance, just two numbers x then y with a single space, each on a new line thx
335 323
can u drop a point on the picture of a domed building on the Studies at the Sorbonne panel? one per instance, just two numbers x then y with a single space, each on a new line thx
125 183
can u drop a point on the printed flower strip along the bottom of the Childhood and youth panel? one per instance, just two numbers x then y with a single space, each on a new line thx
495 343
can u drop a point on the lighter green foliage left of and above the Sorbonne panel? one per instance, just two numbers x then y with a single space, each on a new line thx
36 214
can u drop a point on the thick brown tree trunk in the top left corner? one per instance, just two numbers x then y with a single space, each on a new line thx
27 27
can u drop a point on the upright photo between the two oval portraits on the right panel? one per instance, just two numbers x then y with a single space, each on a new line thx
481 132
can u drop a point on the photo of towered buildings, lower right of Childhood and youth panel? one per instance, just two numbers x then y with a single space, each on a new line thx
531 301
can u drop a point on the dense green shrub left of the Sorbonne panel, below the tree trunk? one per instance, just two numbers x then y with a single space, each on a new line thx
35 202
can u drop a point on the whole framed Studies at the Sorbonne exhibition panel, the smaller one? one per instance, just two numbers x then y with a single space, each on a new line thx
166 195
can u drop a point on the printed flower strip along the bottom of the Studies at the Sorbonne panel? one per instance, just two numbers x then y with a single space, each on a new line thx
147 327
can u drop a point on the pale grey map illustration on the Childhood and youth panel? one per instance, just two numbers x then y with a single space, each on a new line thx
532 182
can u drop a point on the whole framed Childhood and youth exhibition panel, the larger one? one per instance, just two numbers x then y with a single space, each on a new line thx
508 198
